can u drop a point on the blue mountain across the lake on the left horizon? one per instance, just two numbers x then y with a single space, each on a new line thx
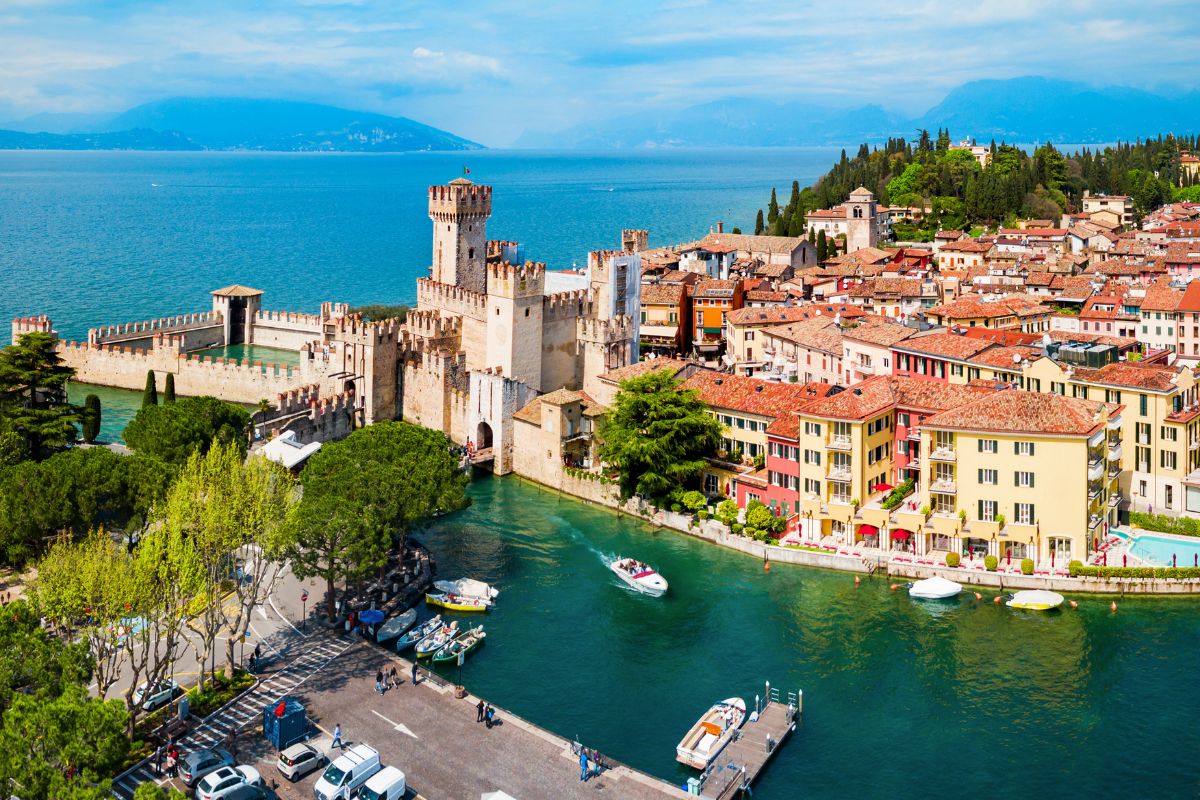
230 124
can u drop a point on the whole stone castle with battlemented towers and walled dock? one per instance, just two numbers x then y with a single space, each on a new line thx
489 335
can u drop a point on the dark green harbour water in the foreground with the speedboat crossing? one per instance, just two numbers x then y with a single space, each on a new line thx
902 700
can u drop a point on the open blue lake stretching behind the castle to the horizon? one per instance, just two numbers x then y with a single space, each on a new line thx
92 238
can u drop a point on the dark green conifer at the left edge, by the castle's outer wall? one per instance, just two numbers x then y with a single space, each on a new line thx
34 395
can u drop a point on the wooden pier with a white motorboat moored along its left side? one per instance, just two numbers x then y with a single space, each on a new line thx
741 763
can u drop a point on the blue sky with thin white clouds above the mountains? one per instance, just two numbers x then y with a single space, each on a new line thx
489 70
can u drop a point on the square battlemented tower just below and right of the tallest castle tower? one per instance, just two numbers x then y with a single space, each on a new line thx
515 297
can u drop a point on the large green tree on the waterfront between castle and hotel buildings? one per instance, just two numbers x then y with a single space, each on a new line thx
658 436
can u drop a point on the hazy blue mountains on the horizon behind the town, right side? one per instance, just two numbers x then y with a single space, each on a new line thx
1017 111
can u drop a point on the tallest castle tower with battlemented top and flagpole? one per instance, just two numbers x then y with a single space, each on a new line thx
460 213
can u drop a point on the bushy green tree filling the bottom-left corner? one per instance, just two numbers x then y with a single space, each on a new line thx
63 749
